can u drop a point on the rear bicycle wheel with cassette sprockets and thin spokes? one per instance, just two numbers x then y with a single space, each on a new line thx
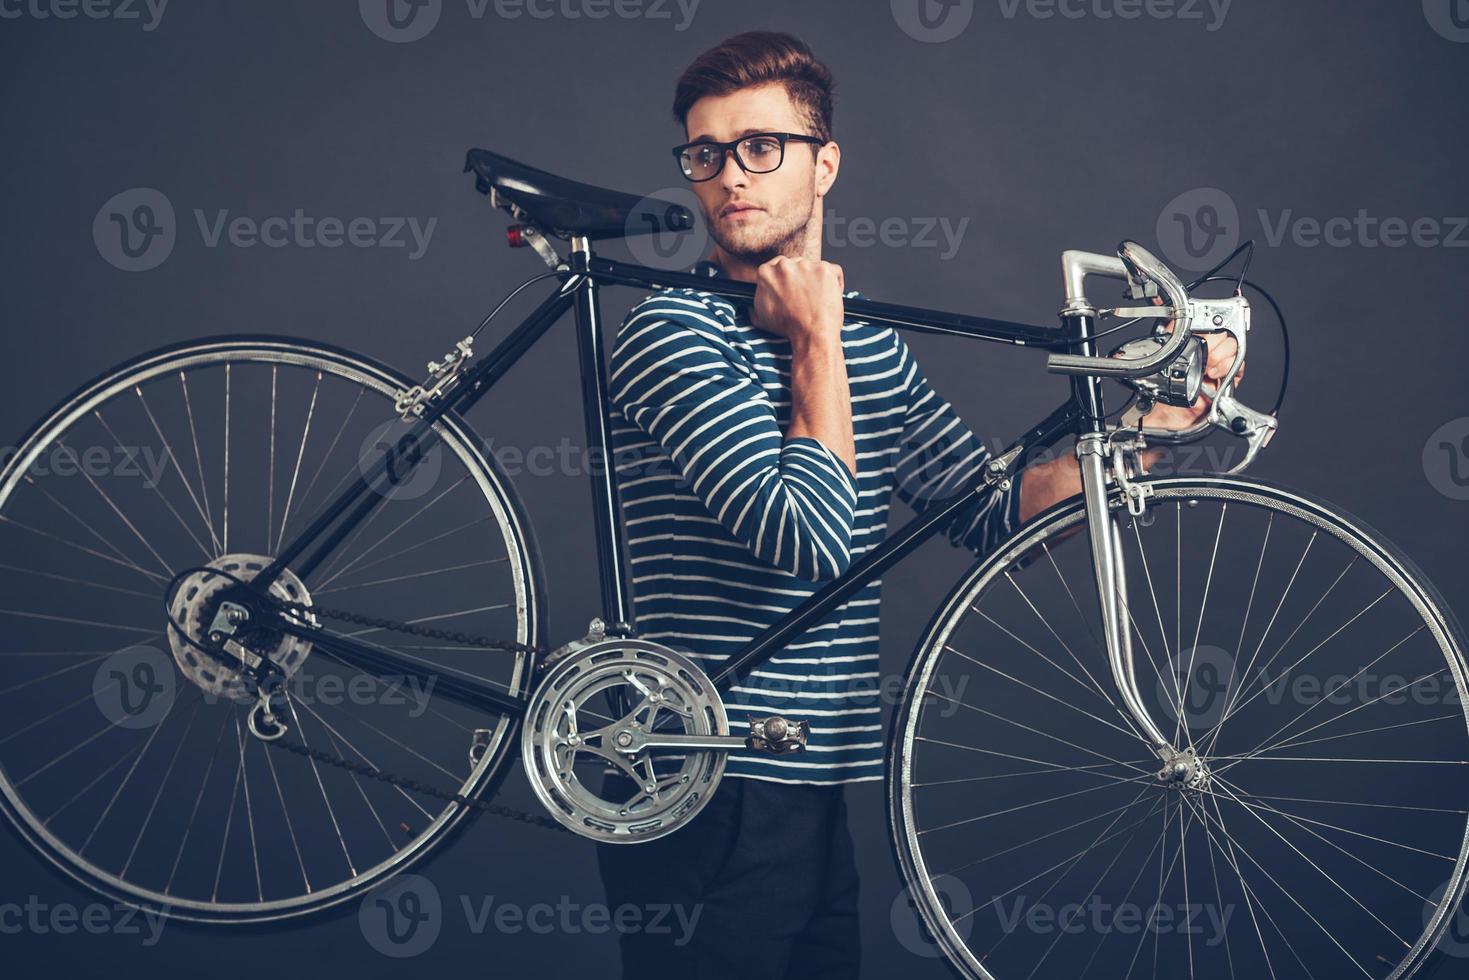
126 754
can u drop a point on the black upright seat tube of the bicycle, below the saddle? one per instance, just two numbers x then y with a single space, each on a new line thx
606 503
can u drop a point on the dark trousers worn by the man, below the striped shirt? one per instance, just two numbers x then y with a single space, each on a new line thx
765 878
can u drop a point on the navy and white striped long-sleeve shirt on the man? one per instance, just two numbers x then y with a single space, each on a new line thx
731 525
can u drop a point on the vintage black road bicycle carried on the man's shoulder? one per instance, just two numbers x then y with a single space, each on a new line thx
1114 774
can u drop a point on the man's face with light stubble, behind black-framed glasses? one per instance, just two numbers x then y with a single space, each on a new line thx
759 217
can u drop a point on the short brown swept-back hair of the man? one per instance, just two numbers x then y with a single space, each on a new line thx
759 58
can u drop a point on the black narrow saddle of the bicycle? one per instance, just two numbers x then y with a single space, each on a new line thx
566 208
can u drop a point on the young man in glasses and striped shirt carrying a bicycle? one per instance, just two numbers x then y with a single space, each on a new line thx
760 447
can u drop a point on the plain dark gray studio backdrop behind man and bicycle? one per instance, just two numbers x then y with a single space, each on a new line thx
1026 133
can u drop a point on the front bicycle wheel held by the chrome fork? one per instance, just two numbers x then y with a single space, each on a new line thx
1313 671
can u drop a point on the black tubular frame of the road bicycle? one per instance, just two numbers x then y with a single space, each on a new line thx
580 290
